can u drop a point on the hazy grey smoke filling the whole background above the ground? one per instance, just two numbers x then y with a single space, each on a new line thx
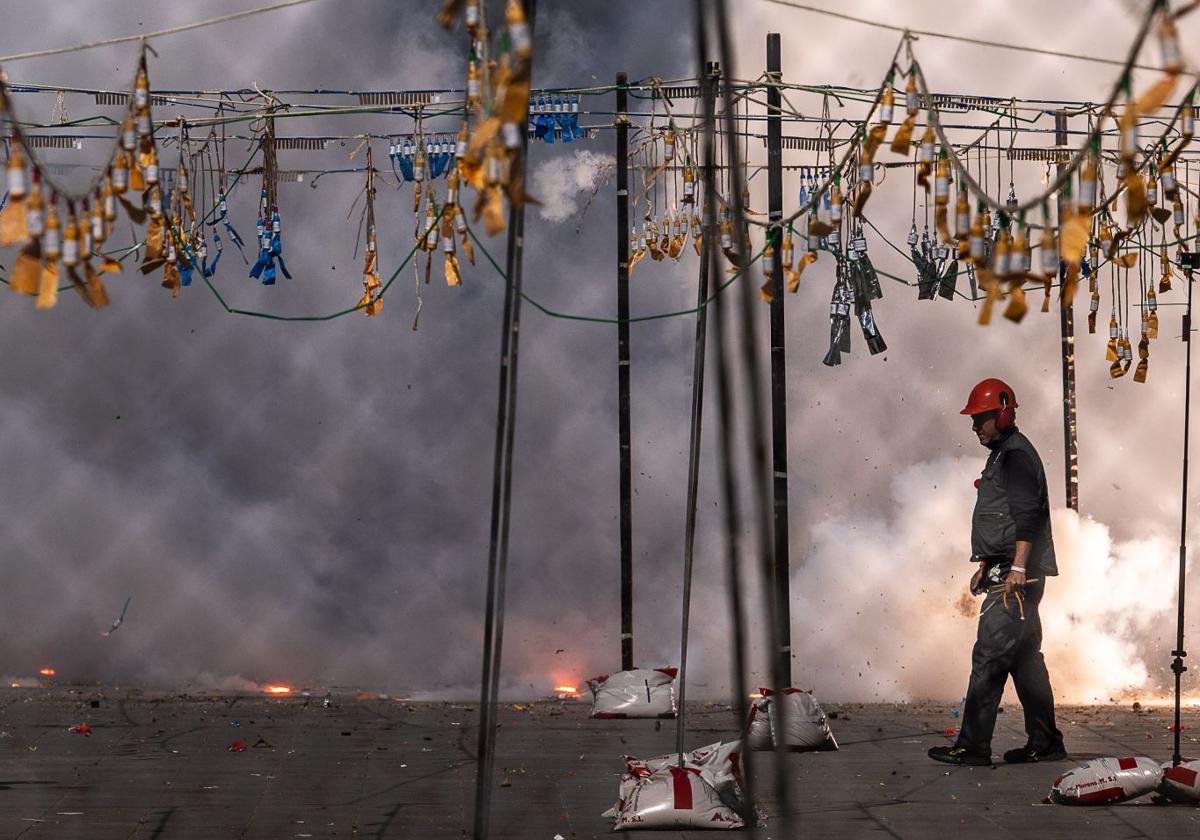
310 502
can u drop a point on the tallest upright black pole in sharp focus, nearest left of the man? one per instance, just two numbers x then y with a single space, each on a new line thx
778 361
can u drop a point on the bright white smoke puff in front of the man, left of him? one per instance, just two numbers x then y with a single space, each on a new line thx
877 605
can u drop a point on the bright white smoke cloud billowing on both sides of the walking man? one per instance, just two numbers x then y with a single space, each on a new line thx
881 611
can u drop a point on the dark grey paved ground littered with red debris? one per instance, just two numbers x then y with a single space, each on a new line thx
369 767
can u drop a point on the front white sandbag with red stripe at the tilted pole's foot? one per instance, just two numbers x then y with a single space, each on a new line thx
675 797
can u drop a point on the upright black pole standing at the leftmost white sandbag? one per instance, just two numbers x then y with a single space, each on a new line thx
626 466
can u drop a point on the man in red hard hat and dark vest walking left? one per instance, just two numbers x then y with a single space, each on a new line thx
1011 541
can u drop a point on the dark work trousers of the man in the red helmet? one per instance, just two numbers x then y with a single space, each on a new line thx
1007 645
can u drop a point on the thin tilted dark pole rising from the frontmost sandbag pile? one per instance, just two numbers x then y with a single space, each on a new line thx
713 73
